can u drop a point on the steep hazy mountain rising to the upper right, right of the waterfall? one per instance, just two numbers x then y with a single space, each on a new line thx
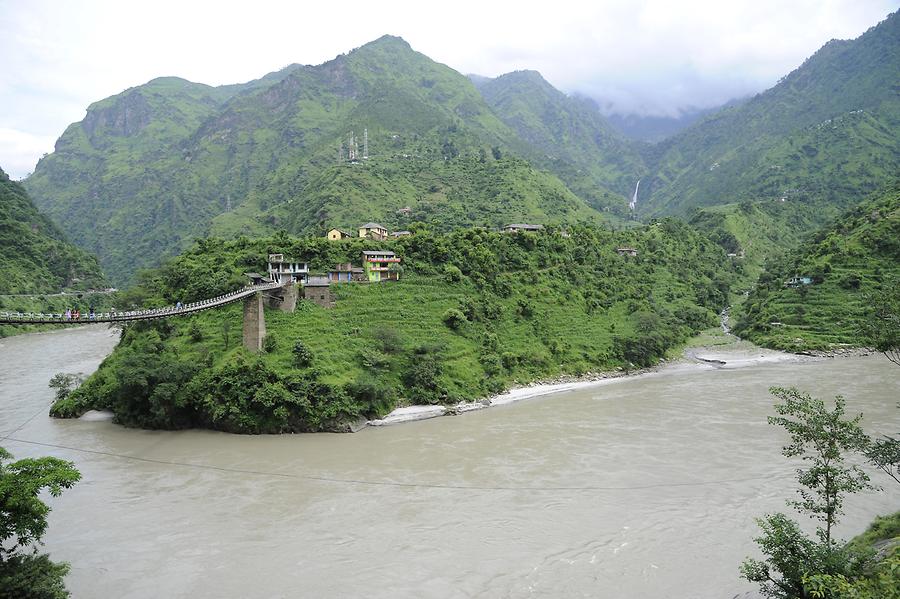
829 128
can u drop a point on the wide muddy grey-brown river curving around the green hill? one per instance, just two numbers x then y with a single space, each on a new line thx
639 488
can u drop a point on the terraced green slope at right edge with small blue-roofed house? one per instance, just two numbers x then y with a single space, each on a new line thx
845 263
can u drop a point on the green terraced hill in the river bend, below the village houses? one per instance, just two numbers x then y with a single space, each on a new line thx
474 311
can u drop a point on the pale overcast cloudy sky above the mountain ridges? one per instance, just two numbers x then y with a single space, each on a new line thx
640 56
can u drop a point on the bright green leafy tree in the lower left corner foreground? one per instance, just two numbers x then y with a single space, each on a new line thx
23 522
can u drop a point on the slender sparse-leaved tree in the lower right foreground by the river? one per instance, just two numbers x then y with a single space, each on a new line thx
821 438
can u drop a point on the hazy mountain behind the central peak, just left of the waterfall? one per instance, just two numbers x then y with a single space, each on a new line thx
567 136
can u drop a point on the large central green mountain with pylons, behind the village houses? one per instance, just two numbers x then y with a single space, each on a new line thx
157 165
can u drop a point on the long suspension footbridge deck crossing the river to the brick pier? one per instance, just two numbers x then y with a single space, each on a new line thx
150 314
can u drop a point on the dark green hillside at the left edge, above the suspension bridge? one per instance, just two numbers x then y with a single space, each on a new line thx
34 255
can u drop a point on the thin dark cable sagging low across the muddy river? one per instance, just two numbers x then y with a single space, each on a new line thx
352 481
